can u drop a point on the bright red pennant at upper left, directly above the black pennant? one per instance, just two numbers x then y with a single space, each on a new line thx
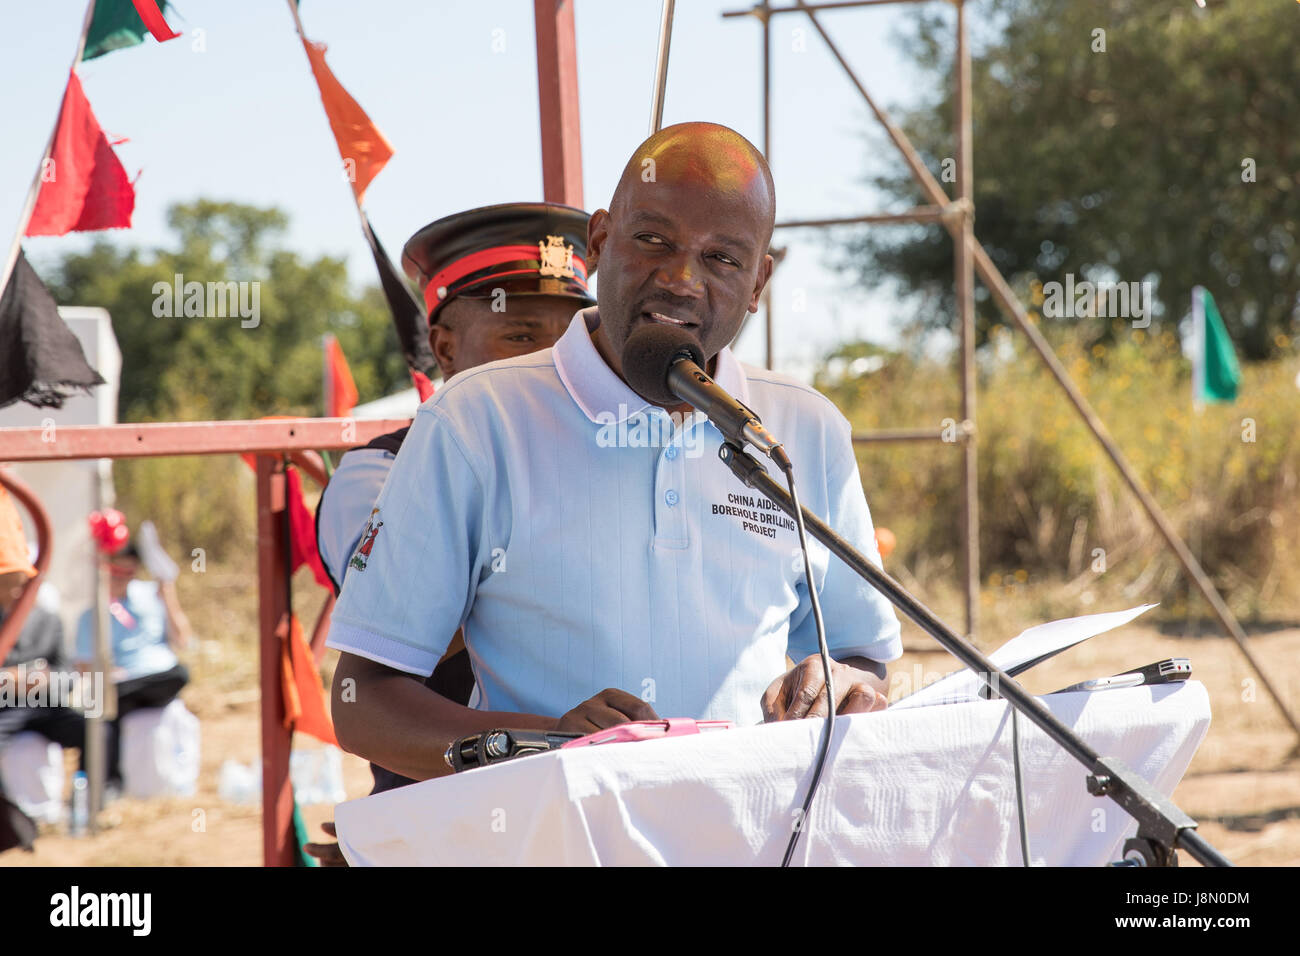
84 188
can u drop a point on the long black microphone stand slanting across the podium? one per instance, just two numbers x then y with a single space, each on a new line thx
1162 825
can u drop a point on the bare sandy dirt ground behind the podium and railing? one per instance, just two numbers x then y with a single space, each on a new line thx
1243 785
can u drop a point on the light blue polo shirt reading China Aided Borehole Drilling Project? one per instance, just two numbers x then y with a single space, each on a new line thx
599 546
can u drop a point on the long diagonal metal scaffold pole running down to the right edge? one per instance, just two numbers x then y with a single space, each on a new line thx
1012 308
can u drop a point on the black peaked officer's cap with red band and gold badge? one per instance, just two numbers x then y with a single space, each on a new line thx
523 249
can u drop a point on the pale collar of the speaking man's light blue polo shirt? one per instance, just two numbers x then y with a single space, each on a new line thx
600 393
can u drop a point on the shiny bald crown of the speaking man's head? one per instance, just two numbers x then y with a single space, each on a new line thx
705 155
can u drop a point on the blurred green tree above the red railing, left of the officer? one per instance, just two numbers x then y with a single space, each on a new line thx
207 367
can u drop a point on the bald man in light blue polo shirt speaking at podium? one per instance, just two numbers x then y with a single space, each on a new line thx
604 564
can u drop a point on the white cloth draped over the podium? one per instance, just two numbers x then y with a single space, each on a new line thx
928 786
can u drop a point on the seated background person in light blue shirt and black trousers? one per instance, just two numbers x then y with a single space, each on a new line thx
148 624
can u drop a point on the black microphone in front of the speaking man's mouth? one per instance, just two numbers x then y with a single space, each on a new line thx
662 364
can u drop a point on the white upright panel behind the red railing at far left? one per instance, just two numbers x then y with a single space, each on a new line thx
71 491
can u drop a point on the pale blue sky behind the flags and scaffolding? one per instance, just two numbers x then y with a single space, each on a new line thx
231 111
